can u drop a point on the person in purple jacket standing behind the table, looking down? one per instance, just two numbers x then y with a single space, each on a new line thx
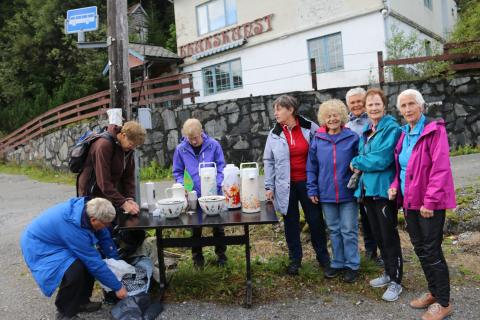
196 147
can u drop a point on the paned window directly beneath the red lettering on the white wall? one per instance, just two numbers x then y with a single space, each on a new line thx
222 77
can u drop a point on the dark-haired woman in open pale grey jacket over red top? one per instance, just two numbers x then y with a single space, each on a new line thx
285 161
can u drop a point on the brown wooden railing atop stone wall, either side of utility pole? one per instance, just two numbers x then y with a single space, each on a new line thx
148 92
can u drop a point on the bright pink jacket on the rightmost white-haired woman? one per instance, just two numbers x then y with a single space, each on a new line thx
429 180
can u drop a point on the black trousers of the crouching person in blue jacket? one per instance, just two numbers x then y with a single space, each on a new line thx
75 289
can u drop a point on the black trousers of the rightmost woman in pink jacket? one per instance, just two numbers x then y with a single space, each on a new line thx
426 235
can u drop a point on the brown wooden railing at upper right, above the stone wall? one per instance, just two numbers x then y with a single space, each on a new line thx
458 59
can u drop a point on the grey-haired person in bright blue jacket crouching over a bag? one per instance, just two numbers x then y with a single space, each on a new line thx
59 248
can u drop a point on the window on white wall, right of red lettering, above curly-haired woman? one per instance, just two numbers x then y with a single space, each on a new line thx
327 51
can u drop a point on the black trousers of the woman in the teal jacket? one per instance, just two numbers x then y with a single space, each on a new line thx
382 215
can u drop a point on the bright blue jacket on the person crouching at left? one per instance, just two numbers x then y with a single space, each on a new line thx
56 238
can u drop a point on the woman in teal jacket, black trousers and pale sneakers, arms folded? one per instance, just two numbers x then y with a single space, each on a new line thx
376 162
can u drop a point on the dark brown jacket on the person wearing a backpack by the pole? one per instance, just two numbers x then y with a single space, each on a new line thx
114 171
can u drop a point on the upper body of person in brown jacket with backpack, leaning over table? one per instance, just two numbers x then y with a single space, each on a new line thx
109 170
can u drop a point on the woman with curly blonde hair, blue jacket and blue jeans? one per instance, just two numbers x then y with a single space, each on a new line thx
328 173
